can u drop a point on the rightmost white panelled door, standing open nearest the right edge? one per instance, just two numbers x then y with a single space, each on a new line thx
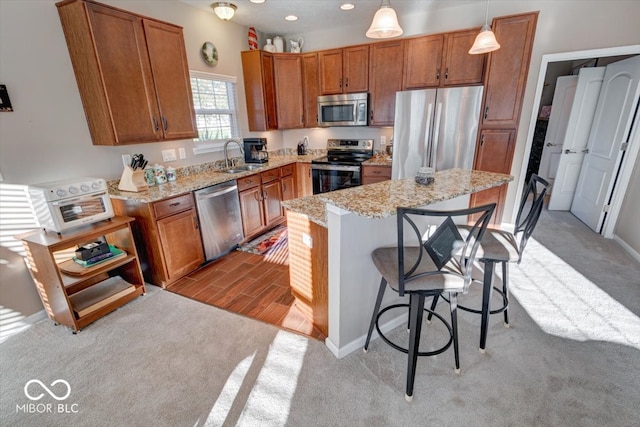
611 128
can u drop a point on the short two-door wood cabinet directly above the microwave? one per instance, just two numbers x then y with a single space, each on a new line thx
344 70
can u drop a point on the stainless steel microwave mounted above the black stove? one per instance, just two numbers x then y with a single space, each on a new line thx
350 109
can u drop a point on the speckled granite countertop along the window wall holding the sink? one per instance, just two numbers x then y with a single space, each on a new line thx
197 177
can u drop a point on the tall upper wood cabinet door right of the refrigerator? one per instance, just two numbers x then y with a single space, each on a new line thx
507 70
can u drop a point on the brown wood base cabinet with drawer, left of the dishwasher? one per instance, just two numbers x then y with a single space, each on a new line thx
167 236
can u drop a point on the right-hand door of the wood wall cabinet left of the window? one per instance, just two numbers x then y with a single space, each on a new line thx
171 77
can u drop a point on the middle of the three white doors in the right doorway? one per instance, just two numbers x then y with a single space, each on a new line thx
576 137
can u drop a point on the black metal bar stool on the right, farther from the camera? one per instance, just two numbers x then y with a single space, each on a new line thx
503 247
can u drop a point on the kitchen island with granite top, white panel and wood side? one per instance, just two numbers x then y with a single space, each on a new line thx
332 235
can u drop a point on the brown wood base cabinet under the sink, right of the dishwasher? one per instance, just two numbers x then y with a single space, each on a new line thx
260 196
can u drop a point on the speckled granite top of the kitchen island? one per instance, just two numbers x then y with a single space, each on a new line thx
381 199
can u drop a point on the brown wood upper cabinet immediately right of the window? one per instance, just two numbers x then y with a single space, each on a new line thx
259 87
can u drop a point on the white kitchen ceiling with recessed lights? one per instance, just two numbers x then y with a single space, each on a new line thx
314 15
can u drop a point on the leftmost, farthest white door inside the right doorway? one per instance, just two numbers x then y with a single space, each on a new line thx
560 110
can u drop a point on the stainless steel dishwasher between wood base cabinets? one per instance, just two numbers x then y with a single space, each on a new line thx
220 220
